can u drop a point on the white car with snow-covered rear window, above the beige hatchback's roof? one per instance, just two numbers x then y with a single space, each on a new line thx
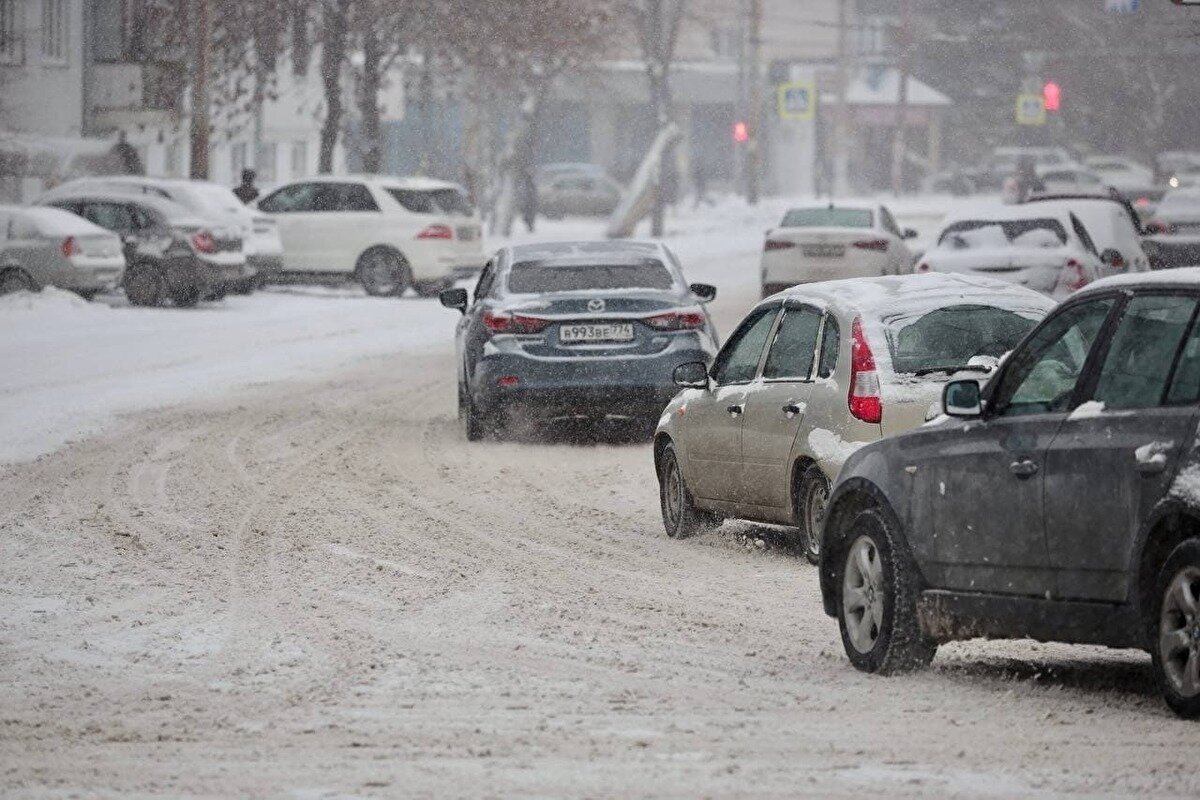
1042 248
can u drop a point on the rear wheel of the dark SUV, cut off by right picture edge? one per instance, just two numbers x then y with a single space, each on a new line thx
1178 652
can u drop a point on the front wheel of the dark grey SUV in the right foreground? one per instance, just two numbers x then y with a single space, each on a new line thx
878 604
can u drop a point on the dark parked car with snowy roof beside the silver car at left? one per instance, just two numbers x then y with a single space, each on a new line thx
171 254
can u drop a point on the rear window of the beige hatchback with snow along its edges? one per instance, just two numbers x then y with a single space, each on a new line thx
950 338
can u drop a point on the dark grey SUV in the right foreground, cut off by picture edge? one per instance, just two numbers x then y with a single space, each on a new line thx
1061 503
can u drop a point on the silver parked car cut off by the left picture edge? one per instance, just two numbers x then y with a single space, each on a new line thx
49 248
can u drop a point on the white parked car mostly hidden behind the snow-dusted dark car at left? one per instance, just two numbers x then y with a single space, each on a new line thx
219 206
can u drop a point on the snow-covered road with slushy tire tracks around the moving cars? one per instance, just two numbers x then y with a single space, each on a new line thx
315 587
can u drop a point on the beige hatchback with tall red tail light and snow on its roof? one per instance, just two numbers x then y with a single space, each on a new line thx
812 375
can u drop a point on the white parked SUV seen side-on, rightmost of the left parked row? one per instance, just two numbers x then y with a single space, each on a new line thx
387 233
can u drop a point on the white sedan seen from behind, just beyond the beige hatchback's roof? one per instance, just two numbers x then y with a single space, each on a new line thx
829 243
